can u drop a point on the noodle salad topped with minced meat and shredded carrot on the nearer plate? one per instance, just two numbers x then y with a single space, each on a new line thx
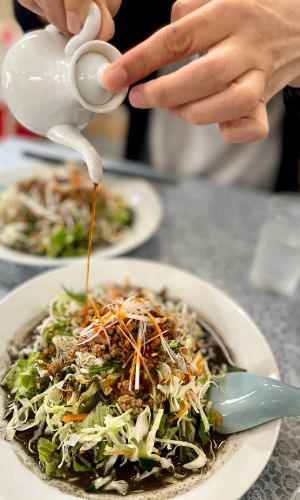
119 381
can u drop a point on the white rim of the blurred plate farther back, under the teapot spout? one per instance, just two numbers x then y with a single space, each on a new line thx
140 196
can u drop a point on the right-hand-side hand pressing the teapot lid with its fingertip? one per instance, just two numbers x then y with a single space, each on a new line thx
252 50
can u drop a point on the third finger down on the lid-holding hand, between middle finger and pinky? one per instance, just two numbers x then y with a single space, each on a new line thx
240 99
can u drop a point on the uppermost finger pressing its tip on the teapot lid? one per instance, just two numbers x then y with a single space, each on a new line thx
194 33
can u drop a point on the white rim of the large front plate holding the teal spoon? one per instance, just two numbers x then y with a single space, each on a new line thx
244 456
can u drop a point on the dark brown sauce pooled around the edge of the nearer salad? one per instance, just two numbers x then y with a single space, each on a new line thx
129 470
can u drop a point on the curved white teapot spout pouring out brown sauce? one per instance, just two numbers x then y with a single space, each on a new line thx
70 136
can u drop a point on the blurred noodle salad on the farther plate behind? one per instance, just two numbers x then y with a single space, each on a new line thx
49 214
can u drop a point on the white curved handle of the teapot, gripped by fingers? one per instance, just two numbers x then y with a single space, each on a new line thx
89 31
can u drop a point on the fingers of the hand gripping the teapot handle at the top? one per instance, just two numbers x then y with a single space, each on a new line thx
69 15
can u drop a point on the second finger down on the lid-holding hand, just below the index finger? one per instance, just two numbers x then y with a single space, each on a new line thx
207 75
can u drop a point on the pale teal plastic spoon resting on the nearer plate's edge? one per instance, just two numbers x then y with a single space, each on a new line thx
245 400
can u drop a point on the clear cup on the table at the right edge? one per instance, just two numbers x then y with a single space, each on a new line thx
276 265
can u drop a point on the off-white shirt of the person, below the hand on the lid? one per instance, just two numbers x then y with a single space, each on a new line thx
184 148
